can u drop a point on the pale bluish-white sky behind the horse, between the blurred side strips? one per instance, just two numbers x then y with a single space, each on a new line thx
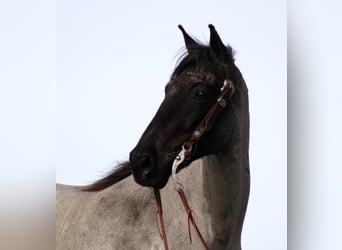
113 60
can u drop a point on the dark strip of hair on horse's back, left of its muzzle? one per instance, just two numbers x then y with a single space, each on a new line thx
119 173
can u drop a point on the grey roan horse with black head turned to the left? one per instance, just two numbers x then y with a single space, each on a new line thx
215 174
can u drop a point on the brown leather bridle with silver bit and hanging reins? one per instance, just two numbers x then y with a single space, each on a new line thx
187 151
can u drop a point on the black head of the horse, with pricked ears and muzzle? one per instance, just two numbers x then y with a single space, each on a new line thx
192 90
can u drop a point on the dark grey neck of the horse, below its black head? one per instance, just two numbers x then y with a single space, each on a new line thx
226 187
